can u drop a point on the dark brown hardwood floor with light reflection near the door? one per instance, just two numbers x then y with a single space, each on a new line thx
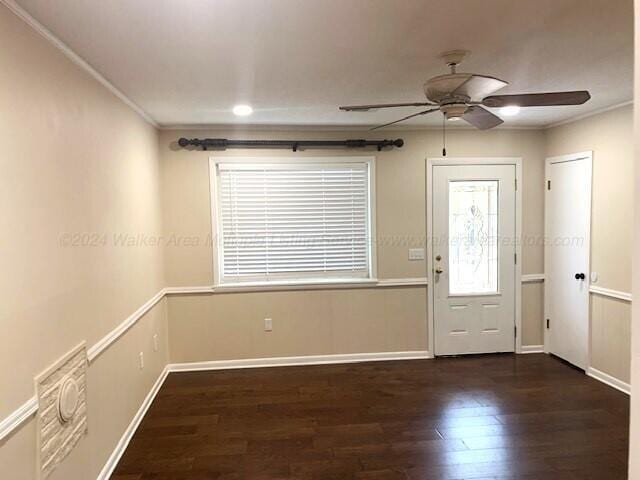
496 416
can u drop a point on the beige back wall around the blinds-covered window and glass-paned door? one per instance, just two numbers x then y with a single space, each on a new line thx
227 326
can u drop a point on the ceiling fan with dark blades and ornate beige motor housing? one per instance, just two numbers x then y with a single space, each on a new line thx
463 96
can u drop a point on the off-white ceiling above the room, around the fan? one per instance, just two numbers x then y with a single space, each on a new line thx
188 62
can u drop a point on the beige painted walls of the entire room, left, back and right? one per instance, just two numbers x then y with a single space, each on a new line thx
78 161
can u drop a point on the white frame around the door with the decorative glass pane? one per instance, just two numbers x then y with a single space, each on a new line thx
462 161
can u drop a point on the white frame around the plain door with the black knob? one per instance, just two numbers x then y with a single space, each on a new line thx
571 157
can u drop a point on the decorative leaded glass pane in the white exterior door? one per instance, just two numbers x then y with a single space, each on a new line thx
473 237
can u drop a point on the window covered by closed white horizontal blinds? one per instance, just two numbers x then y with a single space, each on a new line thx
290 221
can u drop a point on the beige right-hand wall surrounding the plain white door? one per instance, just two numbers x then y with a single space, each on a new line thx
609 135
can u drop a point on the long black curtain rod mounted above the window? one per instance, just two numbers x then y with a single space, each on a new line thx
295 145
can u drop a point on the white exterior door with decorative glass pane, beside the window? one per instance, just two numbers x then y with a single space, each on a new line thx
474 246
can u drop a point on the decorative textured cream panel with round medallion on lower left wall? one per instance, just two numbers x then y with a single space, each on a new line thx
62 409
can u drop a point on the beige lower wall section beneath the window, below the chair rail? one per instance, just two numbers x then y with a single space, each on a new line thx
317 322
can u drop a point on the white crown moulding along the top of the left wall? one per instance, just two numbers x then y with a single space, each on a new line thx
75 58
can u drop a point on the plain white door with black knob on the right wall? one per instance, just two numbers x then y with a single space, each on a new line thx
568 226
